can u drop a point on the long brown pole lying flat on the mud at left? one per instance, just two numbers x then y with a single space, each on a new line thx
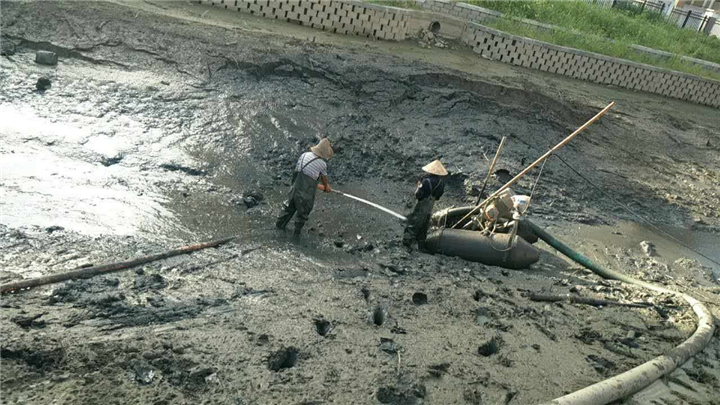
108 268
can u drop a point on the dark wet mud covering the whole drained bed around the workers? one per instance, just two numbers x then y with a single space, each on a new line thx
160 124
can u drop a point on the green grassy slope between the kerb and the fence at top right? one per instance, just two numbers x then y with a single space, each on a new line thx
626 26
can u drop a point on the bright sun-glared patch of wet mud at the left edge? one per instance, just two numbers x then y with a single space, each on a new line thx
51 175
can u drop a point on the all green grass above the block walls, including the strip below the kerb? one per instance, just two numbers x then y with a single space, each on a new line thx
601 30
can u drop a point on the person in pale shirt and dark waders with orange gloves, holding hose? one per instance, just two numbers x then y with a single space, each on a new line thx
310 169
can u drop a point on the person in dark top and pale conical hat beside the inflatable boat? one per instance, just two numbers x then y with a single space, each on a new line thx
430 188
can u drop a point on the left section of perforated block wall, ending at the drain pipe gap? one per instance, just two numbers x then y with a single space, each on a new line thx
348 17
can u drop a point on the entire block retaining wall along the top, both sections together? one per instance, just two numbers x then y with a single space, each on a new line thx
352 17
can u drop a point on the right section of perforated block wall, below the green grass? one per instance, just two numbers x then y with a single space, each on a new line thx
520 51
